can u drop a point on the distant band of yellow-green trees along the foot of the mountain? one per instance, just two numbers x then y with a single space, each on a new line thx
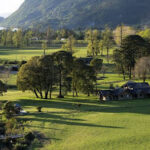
20 38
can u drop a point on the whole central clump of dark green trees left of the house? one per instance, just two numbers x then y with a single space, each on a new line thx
42 75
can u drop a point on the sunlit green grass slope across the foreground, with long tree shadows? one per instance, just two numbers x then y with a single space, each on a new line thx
119 125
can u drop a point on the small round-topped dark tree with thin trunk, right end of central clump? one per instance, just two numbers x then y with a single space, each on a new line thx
97 66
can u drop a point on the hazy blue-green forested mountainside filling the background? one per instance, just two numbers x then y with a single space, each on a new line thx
79 13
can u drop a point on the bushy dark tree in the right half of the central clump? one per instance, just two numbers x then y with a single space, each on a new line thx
83 78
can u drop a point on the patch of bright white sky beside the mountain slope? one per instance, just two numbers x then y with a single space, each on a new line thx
7 7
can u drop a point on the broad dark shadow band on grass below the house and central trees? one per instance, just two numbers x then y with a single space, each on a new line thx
87 105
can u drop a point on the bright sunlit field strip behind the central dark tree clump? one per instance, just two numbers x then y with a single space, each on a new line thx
26 54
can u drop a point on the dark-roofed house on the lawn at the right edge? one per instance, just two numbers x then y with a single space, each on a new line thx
130 90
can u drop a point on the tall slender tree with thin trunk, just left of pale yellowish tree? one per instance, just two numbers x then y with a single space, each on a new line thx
107 40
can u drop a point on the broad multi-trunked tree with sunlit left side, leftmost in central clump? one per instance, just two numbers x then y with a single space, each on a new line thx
38 75
